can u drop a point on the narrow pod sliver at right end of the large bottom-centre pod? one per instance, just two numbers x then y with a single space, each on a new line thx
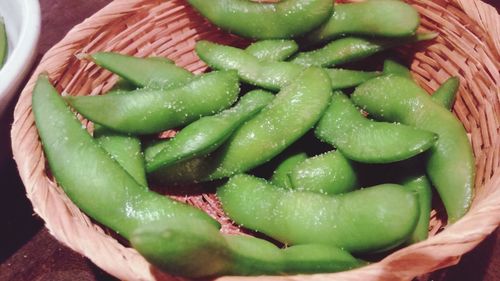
422 187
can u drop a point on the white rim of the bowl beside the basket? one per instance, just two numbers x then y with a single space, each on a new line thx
21 57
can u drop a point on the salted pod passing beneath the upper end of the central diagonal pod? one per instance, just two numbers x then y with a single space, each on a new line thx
267 74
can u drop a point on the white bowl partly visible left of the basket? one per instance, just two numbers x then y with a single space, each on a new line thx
22 22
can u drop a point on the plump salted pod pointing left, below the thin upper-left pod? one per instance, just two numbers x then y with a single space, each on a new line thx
147 111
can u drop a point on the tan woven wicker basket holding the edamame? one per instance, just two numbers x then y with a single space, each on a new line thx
468 47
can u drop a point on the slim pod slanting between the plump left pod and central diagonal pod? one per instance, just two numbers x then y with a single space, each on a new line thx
206 134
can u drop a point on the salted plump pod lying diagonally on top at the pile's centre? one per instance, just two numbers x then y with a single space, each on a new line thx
295 109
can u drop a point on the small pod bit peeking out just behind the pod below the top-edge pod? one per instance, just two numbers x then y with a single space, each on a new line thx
273 50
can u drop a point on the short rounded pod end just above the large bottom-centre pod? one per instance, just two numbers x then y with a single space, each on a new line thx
330 173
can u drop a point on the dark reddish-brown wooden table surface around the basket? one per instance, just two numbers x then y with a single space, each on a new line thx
28 252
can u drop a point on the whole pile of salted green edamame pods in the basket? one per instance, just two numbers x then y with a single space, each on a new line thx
319 208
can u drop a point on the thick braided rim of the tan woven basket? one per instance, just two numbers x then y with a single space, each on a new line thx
481 220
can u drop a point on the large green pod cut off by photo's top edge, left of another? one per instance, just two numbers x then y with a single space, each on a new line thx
284 19
